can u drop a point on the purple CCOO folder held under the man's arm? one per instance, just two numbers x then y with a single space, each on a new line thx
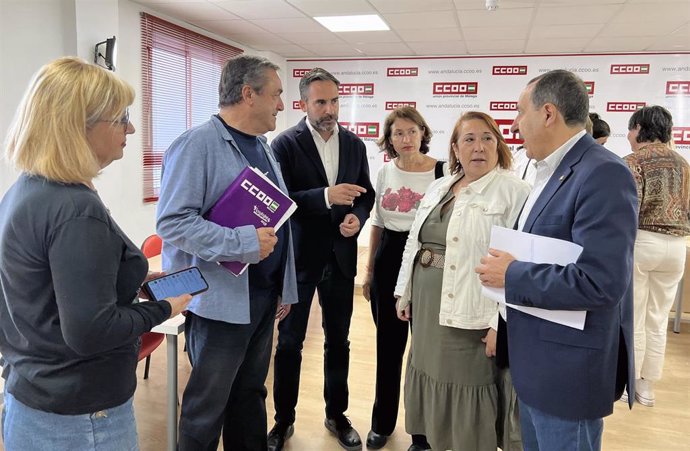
251 199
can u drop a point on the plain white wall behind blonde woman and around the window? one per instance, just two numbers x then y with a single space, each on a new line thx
34 32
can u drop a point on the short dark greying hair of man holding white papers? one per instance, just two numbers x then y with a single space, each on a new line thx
566 91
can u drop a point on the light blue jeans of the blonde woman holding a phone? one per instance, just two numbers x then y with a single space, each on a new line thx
24 428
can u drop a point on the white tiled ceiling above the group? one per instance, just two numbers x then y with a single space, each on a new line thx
443 27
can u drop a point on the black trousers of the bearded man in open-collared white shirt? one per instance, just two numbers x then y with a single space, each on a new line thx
335 298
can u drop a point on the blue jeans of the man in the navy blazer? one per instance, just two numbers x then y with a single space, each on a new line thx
541 431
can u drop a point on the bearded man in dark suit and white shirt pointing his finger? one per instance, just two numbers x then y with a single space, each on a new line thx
327 174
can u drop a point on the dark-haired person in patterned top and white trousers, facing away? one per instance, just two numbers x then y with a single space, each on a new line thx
663 189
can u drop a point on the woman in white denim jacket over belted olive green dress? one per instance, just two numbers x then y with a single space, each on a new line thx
453 392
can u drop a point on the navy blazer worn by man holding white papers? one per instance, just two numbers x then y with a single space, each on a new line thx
590 200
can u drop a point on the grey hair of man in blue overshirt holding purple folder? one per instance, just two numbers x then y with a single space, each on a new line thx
240 71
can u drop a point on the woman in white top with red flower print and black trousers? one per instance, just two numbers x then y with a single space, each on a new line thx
400 187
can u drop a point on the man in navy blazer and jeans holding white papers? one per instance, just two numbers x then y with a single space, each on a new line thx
568 379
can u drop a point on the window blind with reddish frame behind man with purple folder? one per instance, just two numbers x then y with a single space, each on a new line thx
180 74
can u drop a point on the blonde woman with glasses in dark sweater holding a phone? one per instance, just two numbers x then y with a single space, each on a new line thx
69 276
